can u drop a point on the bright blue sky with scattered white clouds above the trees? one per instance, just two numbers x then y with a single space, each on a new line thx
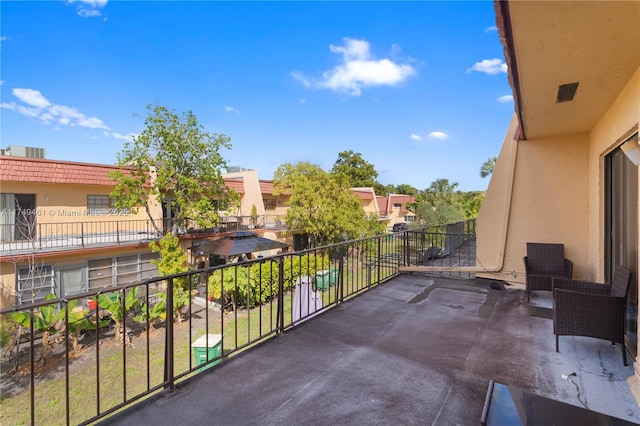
419 89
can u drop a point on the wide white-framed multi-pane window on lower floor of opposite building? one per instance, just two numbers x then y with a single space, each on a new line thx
121 269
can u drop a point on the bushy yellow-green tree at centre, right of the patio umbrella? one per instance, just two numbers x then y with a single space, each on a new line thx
321 204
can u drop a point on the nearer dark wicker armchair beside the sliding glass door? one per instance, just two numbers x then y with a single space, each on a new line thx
583 308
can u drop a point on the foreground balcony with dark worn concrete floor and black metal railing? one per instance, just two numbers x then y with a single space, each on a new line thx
368 345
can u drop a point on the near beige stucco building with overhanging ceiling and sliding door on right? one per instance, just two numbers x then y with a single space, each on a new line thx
567 171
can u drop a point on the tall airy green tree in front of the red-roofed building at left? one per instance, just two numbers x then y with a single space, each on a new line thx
176 160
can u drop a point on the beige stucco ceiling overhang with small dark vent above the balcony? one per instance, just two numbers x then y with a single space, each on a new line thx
595 43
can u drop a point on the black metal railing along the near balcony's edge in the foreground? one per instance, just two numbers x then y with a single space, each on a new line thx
228 308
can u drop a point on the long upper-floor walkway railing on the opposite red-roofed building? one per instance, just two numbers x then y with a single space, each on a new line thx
43 237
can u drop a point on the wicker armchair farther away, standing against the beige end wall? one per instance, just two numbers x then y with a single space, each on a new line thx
543 262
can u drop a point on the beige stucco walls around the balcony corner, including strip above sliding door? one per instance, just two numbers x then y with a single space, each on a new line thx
557 195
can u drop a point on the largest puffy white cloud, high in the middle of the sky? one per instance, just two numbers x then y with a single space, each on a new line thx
359 69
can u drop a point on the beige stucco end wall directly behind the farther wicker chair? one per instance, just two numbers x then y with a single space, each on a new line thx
549 203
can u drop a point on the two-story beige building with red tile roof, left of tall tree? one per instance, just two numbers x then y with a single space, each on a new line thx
60 232
